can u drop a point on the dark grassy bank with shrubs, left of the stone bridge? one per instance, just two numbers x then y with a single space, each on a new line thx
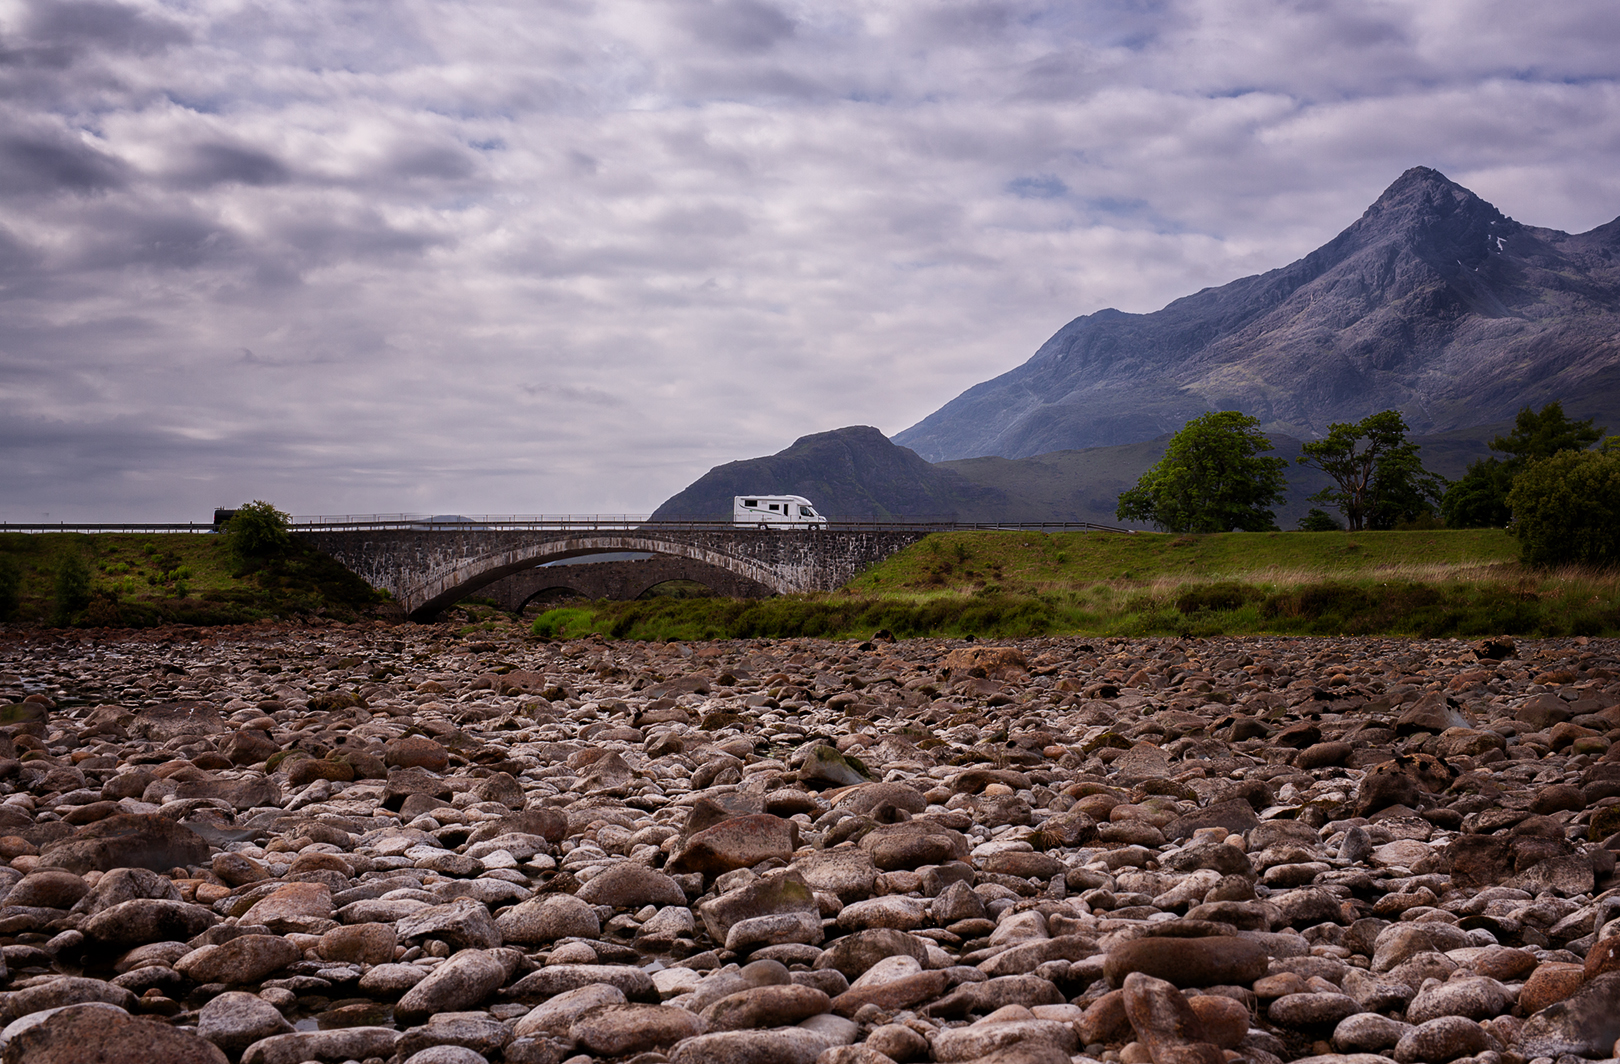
145 581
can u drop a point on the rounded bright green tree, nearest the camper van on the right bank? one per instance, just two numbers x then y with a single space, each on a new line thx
1213 479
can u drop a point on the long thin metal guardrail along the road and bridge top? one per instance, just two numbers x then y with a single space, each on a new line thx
571 522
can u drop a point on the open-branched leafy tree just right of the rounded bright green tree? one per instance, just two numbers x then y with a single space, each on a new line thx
1378 477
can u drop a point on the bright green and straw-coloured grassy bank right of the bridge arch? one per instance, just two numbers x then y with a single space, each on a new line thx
1004 585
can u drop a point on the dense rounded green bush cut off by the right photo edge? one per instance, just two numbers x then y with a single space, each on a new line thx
1567 509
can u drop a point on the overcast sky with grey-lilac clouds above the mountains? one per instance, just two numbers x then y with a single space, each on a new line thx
566 255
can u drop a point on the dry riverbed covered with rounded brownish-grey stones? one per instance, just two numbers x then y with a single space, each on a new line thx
445 849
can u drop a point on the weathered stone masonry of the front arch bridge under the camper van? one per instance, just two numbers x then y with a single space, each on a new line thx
427 571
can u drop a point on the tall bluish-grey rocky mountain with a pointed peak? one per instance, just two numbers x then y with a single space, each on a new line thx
1433 304
